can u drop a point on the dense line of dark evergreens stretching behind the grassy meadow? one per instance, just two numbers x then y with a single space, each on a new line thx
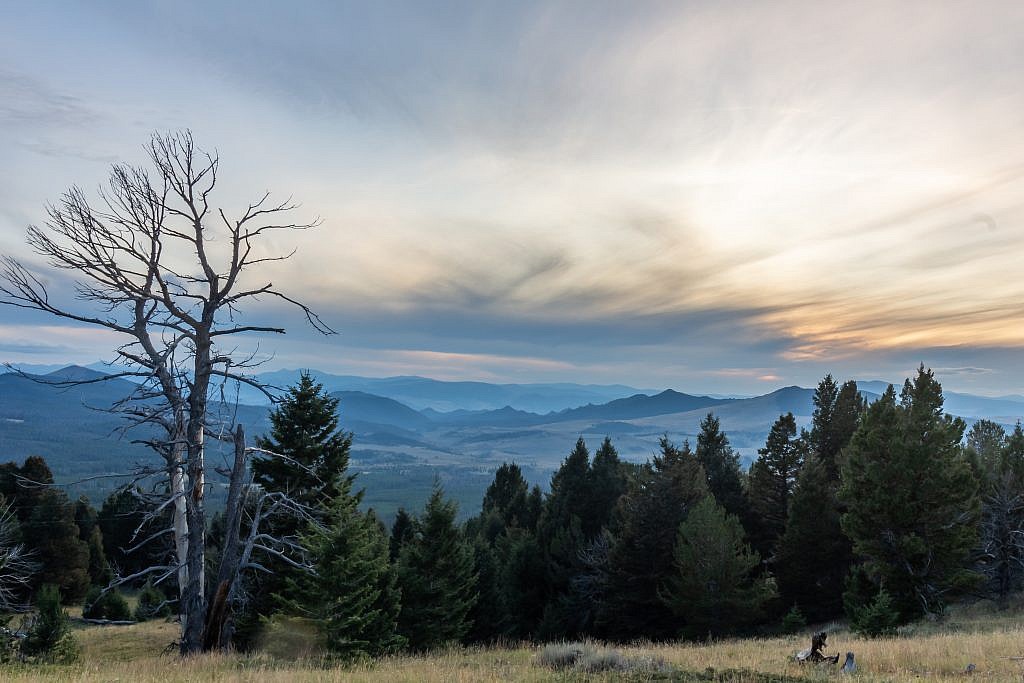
882 513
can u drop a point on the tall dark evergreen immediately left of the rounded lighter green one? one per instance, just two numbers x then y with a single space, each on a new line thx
641 560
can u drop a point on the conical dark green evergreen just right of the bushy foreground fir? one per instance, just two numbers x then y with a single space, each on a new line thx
437 578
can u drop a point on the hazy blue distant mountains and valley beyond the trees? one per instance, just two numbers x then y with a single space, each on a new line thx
468 428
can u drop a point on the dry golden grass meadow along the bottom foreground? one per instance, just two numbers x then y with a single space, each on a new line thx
924 653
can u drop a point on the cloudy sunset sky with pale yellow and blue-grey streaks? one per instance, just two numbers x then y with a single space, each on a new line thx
720 197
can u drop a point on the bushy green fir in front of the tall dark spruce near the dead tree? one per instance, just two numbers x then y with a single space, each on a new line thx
354 595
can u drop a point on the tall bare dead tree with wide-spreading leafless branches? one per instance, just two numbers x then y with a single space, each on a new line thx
159 265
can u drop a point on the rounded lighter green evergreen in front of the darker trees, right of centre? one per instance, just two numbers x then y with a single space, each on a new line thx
714 588
